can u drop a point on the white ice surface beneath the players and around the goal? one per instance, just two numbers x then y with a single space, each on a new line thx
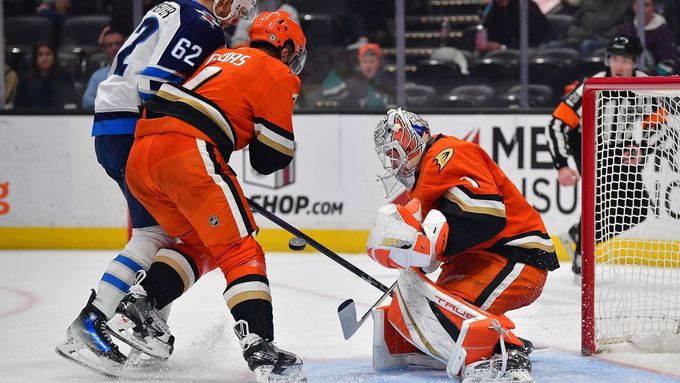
41 292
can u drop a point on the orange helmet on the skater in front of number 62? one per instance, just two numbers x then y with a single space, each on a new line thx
277 28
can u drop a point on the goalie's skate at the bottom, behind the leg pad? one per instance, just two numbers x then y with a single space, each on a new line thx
517 369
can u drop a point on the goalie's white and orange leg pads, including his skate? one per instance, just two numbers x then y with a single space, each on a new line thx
450 330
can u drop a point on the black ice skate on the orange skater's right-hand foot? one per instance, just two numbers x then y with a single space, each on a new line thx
268 362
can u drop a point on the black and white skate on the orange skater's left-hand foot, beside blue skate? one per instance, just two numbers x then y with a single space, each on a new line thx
138 323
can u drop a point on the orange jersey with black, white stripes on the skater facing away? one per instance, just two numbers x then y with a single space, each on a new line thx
236 98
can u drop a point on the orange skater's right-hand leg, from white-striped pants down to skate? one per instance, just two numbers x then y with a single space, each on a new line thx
211 200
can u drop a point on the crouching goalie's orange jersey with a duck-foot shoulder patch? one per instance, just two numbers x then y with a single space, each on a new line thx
484 209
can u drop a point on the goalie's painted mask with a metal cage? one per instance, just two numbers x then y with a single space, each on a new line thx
400 144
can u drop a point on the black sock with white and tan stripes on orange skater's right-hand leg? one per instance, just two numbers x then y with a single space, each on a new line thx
249 299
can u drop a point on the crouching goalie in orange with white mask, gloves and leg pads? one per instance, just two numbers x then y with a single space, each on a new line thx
494 250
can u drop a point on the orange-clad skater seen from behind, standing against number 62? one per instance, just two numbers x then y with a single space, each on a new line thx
178 169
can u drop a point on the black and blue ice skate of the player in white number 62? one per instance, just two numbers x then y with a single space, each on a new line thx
89 343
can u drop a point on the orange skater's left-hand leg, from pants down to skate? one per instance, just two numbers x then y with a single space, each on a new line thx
139 320
